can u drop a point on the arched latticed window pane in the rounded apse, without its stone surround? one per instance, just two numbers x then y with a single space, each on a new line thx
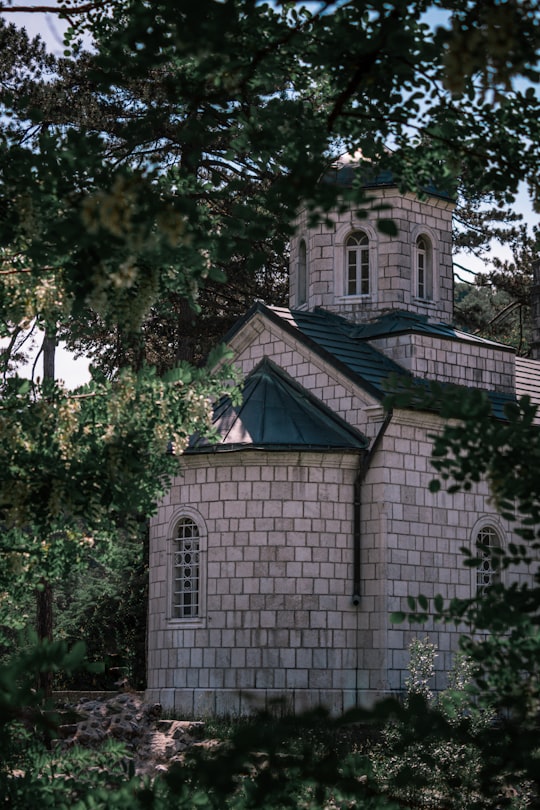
186 590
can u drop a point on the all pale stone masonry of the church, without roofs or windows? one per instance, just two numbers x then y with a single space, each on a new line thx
278 628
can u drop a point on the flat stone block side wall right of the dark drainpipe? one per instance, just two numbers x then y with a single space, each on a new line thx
411 541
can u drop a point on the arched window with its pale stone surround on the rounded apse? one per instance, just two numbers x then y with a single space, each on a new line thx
176 539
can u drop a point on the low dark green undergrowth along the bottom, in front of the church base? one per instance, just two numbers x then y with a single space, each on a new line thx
430 754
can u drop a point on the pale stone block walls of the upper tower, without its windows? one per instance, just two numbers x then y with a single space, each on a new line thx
391 258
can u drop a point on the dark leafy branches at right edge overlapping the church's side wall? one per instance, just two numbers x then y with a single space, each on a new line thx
501 621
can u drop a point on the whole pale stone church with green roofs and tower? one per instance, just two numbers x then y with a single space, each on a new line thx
279 554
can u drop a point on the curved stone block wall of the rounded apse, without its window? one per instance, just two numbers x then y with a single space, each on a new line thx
277 618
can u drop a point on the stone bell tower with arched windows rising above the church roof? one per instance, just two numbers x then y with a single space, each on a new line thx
353 269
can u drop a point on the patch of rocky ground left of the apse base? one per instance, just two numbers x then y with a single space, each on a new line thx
153 744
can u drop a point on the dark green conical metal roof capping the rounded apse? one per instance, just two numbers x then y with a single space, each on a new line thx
278 414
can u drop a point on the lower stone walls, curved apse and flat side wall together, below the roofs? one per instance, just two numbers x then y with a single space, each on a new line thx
277 620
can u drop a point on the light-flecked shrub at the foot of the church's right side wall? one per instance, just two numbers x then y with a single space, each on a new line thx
441 767
